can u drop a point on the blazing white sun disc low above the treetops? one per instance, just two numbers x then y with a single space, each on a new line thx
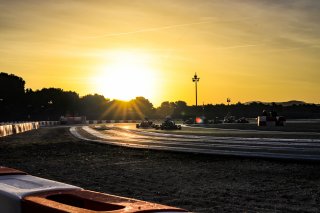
127 75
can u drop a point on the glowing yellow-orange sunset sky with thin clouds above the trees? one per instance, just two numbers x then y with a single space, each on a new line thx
267 50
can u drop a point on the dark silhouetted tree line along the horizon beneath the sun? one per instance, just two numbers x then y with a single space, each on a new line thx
18 103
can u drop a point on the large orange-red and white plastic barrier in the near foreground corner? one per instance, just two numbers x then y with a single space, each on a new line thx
23 193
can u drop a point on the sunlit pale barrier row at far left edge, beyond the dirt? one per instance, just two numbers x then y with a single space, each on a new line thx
15 128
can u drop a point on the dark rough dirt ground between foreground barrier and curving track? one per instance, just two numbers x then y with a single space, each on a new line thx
199 183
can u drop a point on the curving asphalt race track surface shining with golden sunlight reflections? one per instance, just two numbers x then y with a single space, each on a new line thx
203 142
